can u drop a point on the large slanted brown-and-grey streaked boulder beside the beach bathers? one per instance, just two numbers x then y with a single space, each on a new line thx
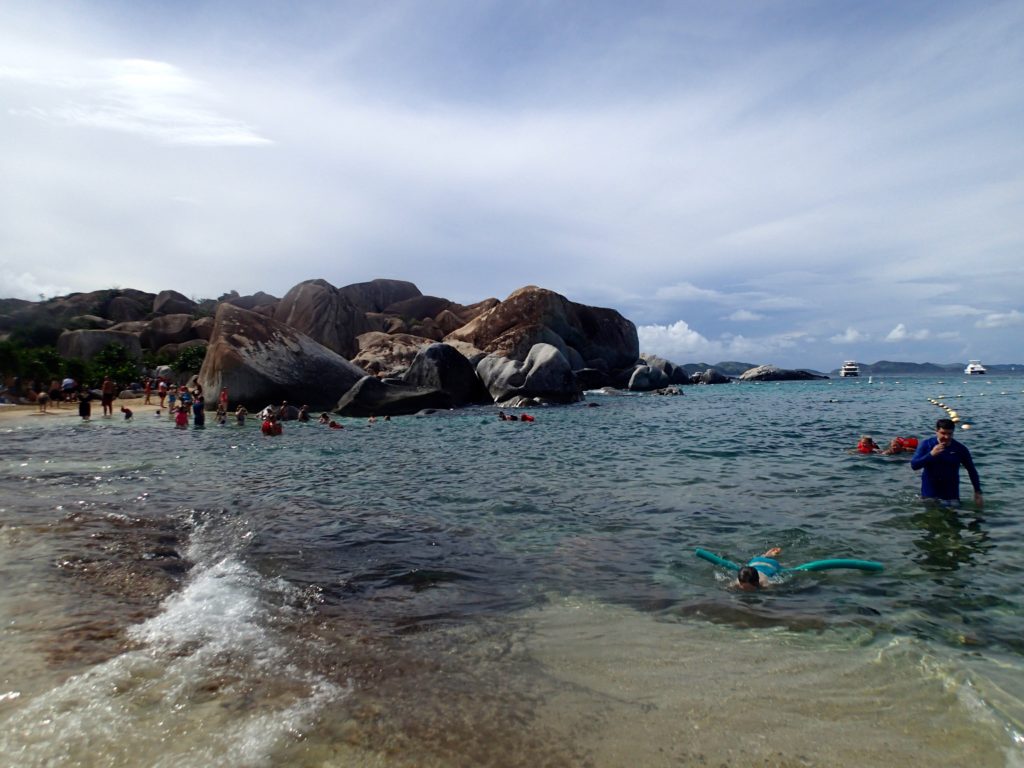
263 361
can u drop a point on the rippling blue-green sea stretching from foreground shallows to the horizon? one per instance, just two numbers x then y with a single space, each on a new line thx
449 589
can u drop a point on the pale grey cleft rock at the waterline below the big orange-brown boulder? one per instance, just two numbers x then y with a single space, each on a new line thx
544 375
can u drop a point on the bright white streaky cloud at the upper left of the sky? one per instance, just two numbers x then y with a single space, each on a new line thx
154 100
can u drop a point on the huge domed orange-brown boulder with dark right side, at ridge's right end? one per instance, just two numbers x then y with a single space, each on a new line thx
535 316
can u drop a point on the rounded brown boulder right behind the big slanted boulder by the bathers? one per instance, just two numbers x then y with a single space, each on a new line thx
324 314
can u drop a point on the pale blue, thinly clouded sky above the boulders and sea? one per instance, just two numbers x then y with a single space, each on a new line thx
787 183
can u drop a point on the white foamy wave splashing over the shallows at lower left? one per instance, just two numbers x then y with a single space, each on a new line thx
211 684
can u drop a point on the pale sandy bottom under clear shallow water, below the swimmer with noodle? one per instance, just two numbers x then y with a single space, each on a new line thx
639 692
